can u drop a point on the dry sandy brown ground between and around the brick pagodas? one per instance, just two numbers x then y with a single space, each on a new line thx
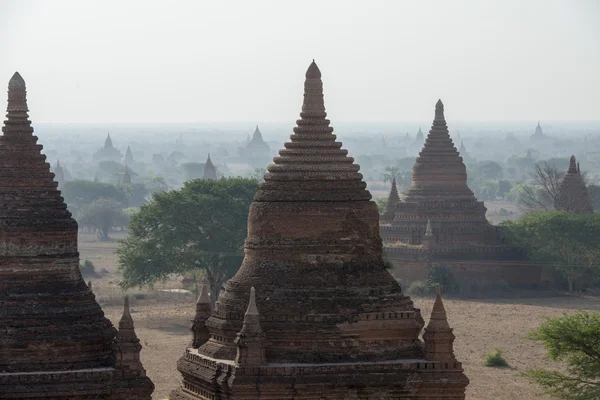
162 321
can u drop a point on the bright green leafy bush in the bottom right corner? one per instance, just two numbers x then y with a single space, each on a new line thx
575 341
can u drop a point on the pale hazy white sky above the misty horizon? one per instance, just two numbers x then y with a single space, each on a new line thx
194 61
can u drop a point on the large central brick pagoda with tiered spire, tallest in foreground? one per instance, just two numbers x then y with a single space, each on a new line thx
312 312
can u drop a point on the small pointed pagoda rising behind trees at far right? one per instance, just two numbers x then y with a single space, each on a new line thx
573 193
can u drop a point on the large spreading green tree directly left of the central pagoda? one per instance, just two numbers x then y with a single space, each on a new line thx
198 228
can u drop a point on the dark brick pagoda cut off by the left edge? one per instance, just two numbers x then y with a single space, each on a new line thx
55 342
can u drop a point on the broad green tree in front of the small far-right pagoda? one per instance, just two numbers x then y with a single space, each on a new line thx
566 241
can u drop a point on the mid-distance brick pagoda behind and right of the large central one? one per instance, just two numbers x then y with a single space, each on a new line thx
460 237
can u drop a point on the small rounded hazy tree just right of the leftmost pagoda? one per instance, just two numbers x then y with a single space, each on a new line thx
103 214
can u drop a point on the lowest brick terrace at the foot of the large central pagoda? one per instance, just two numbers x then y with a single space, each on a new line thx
211 379
